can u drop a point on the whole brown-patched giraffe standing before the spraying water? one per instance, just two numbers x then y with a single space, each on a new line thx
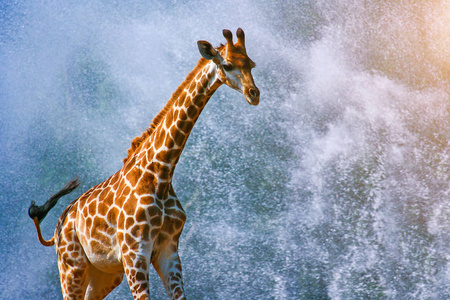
134 218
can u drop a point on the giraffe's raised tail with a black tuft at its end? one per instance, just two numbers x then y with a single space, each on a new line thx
38 213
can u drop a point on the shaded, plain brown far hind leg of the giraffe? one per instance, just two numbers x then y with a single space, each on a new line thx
101 283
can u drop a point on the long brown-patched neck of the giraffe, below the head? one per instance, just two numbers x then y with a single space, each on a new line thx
162 149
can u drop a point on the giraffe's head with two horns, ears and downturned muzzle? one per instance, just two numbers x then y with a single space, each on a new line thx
233 64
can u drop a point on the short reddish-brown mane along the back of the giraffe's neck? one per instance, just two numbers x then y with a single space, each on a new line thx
139 140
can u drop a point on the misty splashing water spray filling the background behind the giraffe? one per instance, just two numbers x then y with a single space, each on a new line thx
335 187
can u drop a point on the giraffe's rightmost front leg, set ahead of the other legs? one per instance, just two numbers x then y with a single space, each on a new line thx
168 266
